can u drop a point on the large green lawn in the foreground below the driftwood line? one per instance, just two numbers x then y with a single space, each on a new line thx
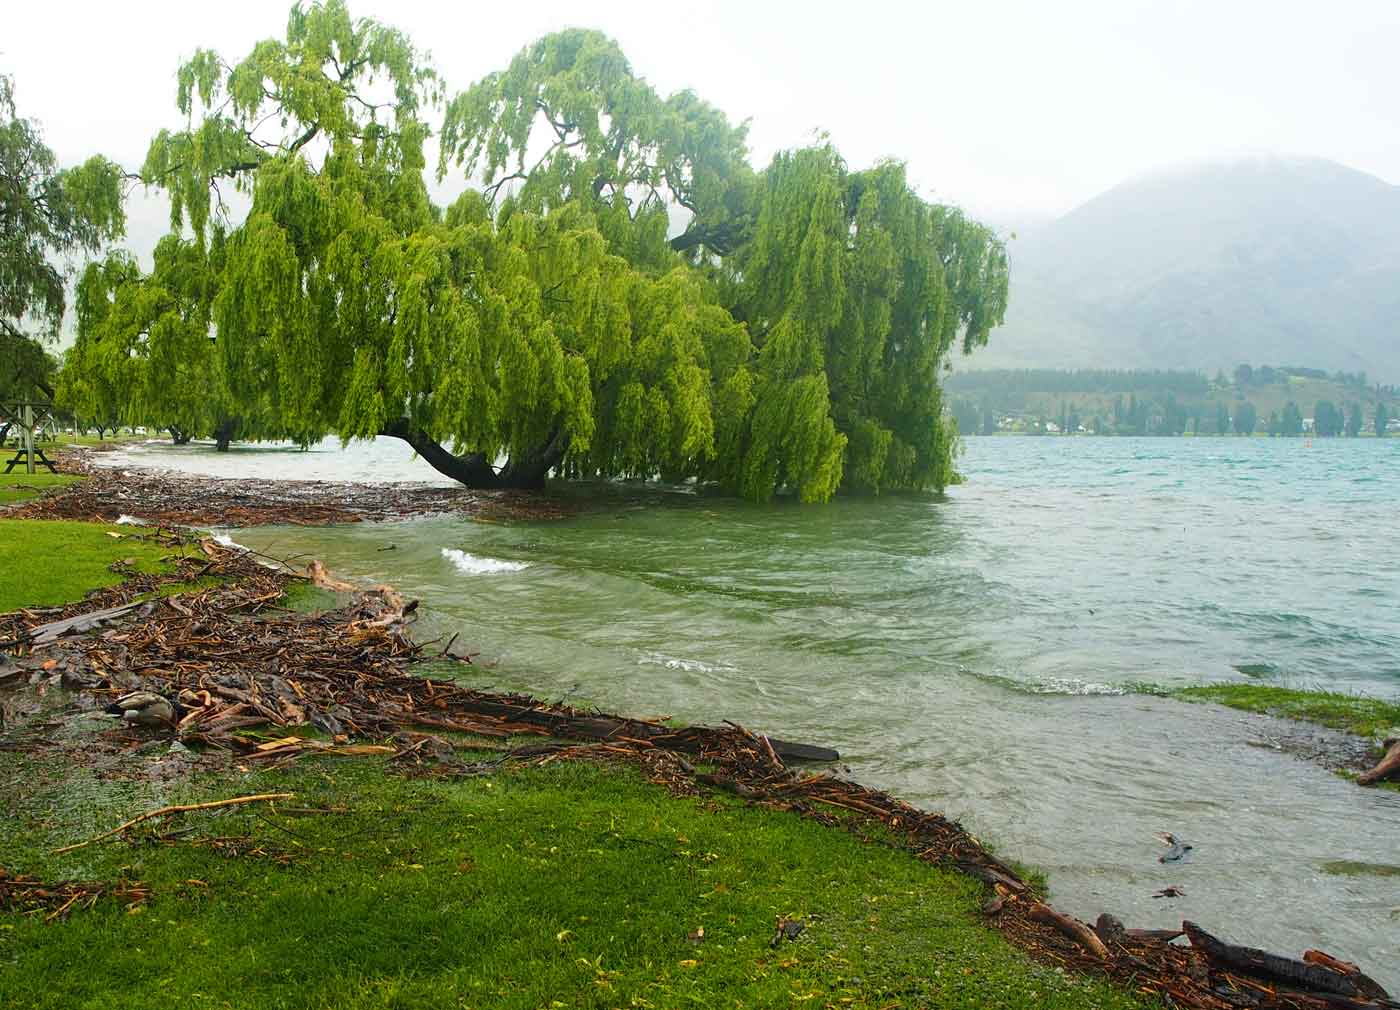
569 886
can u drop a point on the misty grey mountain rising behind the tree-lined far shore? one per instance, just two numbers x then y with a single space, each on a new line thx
1286 260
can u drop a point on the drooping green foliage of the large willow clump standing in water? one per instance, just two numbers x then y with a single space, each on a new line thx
790 335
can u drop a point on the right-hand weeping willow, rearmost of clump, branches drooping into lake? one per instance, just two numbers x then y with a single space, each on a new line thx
852 289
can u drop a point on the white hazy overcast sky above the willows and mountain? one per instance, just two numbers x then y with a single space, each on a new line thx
1011 110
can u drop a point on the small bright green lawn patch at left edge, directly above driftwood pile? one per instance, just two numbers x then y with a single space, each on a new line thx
47 564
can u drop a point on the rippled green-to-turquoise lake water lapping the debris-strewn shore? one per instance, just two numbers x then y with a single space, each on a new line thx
972 655
